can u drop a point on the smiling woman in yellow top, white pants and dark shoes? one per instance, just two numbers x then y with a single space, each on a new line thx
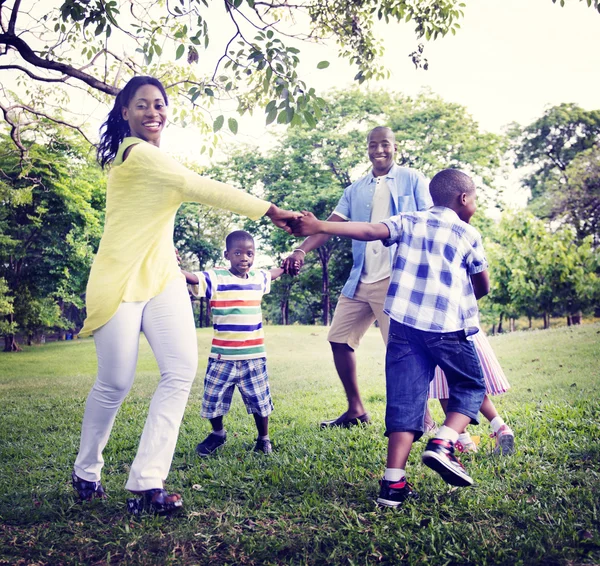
135 285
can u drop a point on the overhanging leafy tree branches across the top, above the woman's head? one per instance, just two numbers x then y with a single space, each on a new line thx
247 52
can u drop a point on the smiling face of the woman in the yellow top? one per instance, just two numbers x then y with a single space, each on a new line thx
146 114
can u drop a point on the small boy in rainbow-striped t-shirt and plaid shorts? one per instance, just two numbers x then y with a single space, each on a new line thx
237 355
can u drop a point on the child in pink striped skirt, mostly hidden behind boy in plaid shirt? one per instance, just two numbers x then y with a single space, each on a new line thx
495 383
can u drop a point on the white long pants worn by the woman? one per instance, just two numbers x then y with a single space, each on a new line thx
168 324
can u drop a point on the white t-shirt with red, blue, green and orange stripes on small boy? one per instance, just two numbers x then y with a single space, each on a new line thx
236 312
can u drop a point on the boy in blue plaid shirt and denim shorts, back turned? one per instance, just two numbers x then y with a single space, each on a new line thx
439 272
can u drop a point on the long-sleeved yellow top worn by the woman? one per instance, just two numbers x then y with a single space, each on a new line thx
136 259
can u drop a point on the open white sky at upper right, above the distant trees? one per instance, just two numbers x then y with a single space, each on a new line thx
510 61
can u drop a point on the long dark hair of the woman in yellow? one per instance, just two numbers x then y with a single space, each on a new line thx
115 129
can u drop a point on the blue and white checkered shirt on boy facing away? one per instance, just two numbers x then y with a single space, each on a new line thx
430 287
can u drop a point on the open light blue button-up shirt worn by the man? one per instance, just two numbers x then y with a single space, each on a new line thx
409 192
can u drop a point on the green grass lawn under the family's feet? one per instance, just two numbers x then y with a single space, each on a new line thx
312 502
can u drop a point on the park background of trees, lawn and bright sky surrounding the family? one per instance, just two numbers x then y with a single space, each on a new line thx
510 96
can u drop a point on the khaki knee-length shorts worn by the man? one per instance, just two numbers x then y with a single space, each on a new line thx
353 317
